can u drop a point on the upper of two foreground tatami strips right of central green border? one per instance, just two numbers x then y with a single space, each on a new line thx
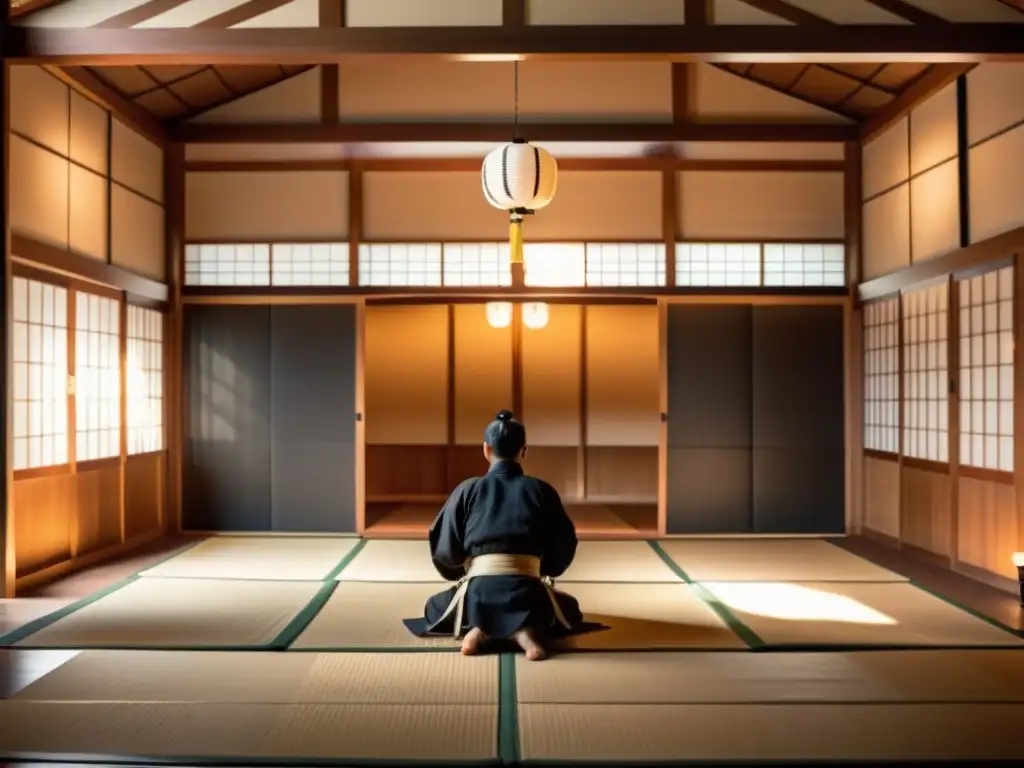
767 678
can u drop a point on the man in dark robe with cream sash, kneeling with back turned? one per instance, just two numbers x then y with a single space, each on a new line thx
503 537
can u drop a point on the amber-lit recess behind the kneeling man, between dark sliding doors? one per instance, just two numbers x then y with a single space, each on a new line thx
586 386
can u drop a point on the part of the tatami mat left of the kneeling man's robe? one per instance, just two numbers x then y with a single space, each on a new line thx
362 615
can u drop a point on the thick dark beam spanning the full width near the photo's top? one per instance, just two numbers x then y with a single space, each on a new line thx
726 44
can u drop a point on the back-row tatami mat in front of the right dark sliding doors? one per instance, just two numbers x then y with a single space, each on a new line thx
772 561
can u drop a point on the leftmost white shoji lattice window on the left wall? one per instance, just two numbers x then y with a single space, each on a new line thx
40 375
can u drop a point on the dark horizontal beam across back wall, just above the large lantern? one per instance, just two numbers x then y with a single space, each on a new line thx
490 133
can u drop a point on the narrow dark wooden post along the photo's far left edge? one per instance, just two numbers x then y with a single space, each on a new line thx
8 571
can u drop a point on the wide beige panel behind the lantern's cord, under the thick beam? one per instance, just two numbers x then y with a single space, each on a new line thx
378 89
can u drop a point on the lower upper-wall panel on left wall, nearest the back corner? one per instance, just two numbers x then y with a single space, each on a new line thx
138 234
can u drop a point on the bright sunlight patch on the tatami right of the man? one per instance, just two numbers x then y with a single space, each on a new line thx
791 603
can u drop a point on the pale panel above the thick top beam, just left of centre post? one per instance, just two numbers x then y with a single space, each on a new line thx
418 14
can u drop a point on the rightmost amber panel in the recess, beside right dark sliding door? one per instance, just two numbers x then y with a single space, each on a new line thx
623 370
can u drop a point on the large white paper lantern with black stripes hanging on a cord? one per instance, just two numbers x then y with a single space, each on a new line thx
520 178
